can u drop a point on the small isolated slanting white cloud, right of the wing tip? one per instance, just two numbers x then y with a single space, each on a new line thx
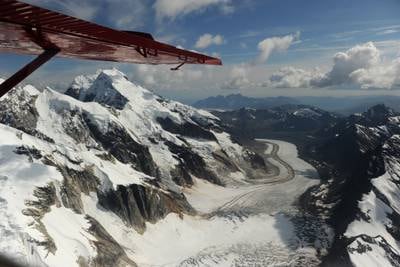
275 44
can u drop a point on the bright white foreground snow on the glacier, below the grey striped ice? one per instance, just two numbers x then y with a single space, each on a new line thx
176 241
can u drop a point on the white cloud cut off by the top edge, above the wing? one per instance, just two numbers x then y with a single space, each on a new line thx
170 9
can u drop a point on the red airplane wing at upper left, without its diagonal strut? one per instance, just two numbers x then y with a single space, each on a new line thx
29 29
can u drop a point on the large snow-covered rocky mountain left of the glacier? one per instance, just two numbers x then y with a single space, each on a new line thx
107 145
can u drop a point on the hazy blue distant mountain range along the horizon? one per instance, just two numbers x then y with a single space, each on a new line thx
344 105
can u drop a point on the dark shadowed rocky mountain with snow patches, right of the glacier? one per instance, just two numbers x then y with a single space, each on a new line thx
361 153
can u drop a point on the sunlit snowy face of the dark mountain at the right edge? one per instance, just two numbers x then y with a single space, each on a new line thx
373 236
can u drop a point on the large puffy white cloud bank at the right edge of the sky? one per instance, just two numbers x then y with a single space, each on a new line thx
362 66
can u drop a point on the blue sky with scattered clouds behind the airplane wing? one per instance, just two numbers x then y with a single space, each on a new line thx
269 47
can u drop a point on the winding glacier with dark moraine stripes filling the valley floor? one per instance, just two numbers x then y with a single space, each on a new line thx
257 224
